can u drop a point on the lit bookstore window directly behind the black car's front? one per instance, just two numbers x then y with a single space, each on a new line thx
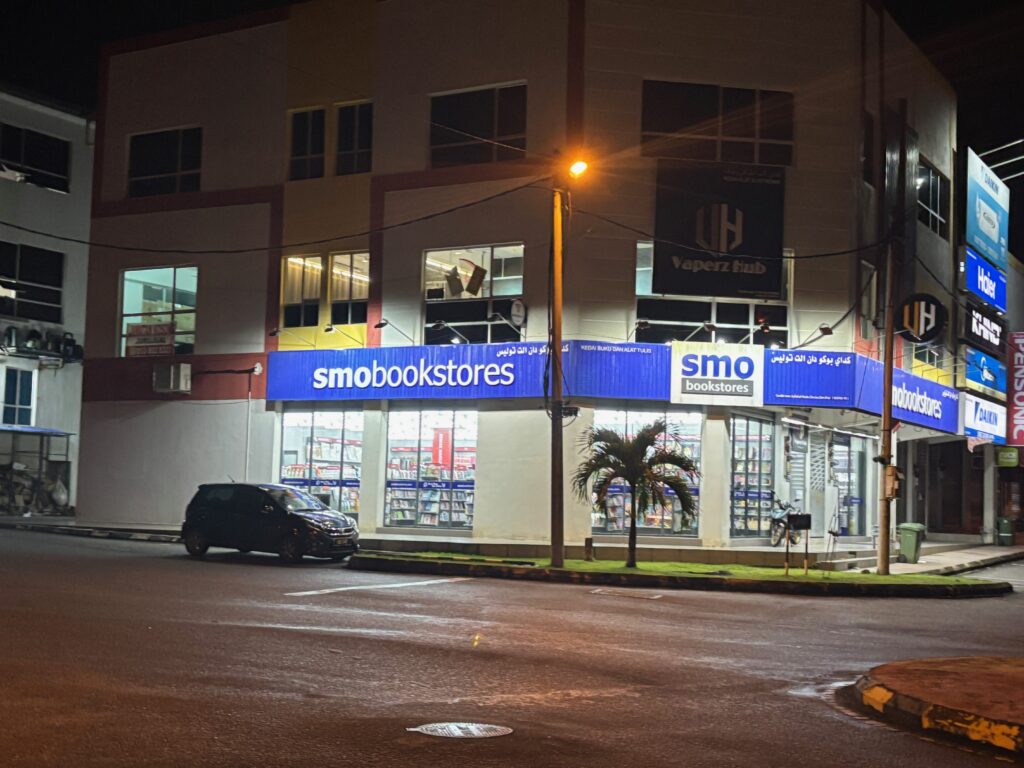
322 452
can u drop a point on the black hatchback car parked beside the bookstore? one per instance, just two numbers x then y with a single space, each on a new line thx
266 518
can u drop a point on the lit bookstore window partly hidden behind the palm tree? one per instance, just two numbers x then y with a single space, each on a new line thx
685 438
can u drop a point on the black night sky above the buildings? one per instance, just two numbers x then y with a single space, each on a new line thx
52 49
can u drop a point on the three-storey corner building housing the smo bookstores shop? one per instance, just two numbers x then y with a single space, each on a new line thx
349 241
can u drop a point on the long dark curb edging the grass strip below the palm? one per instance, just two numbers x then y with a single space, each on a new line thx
715 584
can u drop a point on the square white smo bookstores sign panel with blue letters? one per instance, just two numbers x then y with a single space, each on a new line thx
717 374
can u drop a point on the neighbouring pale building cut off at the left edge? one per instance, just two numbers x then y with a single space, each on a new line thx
46 193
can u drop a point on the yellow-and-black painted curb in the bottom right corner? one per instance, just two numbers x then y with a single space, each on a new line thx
916 714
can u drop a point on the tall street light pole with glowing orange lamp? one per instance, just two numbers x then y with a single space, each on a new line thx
561 200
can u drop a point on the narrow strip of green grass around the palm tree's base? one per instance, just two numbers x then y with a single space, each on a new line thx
709 571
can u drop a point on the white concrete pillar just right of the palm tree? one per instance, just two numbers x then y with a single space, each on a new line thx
716 471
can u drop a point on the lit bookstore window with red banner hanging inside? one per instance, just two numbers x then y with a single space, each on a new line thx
432 470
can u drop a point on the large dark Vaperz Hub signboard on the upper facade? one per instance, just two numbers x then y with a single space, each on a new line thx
719 231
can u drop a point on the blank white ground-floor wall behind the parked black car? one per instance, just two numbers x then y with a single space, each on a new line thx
146 459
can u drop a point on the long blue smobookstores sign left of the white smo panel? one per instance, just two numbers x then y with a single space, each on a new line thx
468 372
